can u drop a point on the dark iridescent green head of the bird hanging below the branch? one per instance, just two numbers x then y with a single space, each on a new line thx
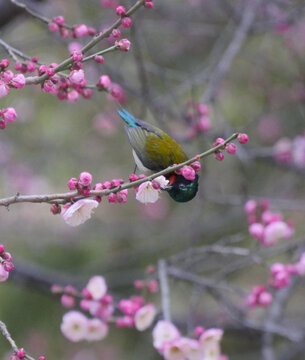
183 190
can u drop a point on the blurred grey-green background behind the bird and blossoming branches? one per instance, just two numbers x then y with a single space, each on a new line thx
172 65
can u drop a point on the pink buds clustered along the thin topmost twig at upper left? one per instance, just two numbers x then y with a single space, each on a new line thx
78 31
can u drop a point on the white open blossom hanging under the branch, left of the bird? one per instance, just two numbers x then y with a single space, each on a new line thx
79 212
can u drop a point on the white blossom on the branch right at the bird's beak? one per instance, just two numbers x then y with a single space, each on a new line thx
147 191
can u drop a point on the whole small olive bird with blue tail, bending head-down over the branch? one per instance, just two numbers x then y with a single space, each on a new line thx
153 150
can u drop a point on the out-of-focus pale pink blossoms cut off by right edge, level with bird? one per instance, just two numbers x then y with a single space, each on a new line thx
291 152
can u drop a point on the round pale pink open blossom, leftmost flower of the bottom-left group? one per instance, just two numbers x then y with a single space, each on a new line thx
74 326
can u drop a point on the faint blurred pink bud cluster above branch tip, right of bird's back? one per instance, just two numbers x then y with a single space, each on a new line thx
198 116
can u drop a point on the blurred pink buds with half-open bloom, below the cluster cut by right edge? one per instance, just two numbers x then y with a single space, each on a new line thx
266 226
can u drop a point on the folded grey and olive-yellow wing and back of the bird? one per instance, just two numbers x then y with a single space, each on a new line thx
155 148
